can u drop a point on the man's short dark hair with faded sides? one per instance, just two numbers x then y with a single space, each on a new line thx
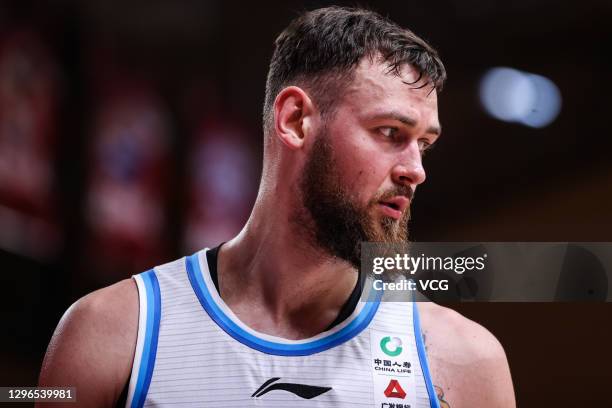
320 50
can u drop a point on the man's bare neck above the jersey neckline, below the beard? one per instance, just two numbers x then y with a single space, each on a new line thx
277 281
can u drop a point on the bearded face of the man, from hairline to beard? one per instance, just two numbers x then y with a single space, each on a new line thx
365 162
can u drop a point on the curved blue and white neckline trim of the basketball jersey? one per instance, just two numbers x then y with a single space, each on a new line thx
217 309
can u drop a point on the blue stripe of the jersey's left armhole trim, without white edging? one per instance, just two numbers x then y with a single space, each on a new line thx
149 350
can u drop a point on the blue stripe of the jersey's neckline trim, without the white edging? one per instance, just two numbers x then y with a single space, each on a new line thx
269 347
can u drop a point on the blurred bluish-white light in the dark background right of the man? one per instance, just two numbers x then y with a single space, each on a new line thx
515 96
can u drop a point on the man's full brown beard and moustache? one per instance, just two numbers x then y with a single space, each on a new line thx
338 224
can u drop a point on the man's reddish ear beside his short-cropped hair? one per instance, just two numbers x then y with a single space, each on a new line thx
293 111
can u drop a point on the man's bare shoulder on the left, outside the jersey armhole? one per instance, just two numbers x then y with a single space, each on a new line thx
93 345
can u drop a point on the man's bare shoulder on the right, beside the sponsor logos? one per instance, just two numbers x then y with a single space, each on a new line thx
469 365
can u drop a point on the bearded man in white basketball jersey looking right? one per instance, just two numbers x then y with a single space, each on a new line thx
272 317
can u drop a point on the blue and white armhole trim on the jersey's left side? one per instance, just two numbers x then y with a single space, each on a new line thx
149 300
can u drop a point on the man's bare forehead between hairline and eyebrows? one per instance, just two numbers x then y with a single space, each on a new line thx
375 87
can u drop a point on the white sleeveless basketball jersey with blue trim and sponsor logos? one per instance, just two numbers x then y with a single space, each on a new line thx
192 351
